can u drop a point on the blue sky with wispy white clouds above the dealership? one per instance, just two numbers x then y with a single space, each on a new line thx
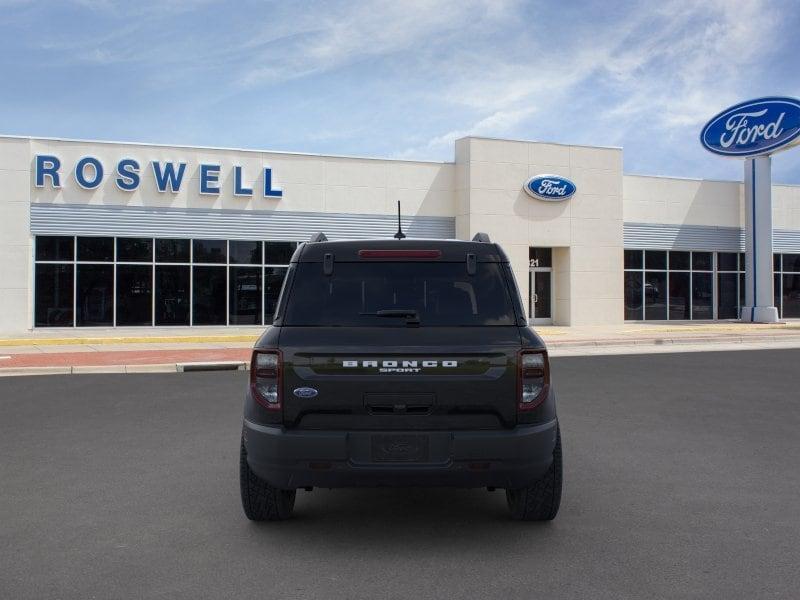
399 79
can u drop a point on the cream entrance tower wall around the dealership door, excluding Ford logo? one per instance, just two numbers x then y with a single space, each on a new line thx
589 224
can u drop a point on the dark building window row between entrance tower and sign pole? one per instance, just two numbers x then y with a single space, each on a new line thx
680 285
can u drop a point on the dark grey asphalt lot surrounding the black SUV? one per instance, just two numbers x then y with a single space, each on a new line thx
681 481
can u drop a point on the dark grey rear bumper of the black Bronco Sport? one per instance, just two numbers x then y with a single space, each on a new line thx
506 459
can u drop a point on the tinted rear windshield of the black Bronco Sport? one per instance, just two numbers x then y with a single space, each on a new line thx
439 294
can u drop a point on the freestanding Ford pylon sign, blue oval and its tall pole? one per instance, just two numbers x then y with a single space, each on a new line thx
754 130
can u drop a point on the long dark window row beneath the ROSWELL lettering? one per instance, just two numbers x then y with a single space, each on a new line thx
104 281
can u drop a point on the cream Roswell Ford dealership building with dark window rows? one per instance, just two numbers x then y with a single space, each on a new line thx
107 234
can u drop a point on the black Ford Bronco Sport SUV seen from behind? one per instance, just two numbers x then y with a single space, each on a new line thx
400 363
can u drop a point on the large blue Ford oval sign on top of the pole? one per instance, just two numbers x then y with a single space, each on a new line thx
754 127
